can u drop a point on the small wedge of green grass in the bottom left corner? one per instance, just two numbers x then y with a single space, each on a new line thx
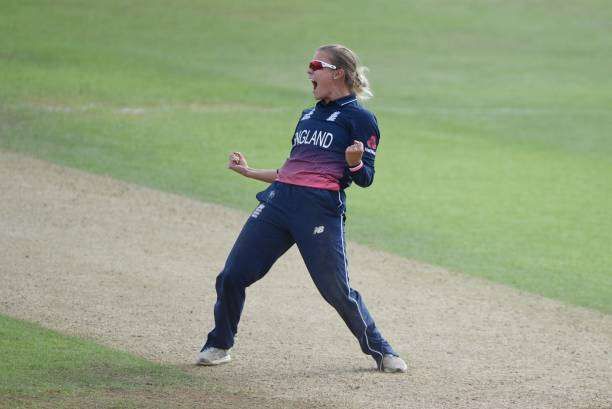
41 367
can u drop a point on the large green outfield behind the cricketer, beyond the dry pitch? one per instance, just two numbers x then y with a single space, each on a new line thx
496 117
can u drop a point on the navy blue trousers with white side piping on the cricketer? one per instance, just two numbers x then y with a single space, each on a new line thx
314 220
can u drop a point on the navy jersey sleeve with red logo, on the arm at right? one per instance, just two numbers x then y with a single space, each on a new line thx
365 130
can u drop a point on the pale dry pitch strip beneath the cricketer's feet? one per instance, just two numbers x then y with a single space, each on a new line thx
134 268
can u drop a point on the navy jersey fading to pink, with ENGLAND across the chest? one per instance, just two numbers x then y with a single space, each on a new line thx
320 139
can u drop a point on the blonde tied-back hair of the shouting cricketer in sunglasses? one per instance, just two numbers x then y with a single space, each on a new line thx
354 73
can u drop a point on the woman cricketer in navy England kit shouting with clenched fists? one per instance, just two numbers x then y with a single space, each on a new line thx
334 145
